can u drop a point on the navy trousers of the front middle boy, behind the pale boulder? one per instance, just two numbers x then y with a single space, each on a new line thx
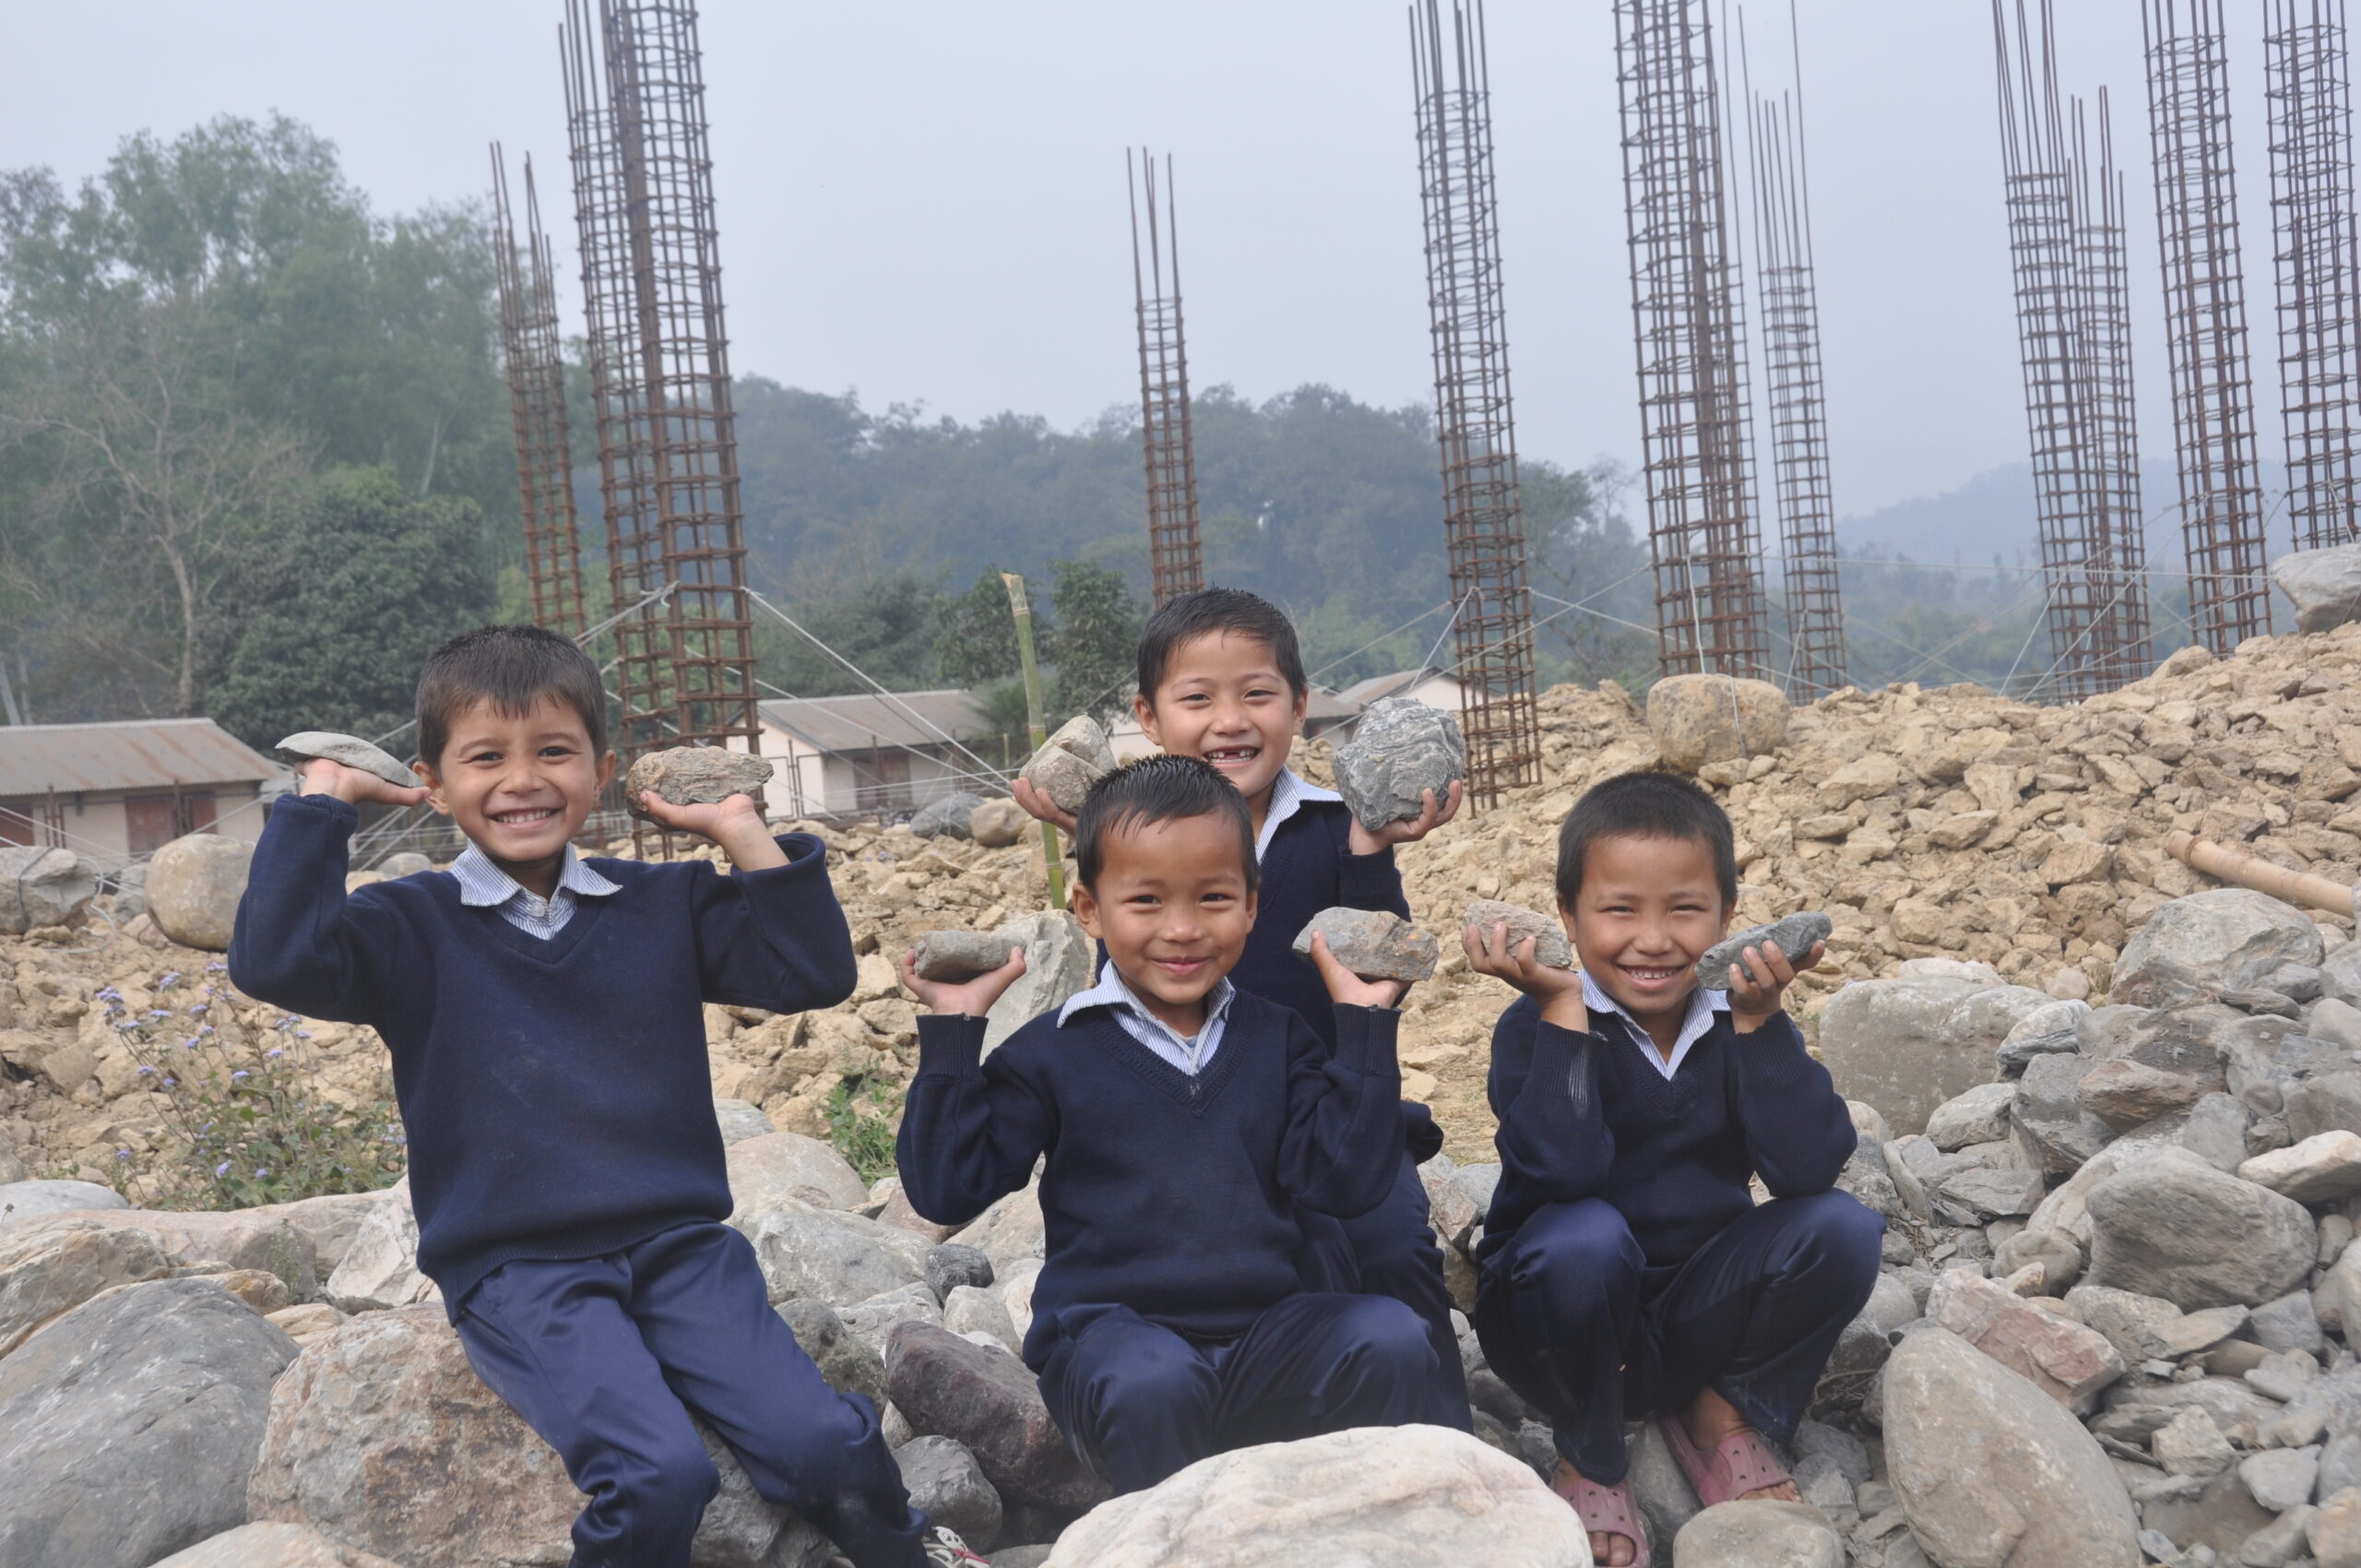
1139 1402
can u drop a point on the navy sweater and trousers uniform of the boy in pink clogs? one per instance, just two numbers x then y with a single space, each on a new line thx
1626 1265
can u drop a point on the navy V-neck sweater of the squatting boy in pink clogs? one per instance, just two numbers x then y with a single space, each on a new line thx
1588 1116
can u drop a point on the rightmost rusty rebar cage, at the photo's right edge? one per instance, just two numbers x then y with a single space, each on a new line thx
2320 266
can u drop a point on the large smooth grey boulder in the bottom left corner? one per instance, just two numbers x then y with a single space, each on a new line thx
129 1425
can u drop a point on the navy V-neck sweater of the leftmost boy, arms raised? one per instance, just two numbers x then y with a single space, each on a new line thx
556 1092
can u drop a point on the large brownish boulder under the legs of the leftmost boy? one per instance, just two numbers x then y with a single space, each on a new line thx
384 1437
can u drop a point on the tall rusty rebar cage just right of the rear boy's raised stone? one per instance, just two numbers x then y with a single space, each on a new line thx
1484 516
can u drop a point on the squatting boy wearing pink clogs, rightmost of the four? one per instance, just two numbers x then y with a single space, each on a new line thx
1626 1265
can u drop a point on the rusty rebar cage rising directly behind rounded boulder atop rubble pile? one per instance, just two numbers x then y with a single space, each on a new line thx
1703 533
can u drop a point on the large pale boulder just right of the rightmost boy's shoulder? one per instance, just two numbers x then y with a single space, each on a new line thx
1914 1043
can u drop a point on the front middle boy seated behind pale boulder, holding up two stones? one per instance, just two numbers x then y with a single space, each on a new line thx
1186 1128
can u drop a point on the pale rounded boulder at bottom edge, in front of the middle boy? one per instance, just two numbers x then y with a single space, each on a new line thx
1397 1496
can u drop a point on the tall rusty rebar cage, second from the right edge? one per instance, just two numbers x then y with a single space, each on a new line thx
2213 400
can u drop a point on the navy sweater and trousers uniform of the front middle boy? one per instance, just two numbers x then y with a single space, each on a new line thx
1170 1319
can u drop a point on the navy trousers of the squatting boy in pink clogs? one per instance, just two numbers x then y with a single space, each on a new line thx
1576 1321
